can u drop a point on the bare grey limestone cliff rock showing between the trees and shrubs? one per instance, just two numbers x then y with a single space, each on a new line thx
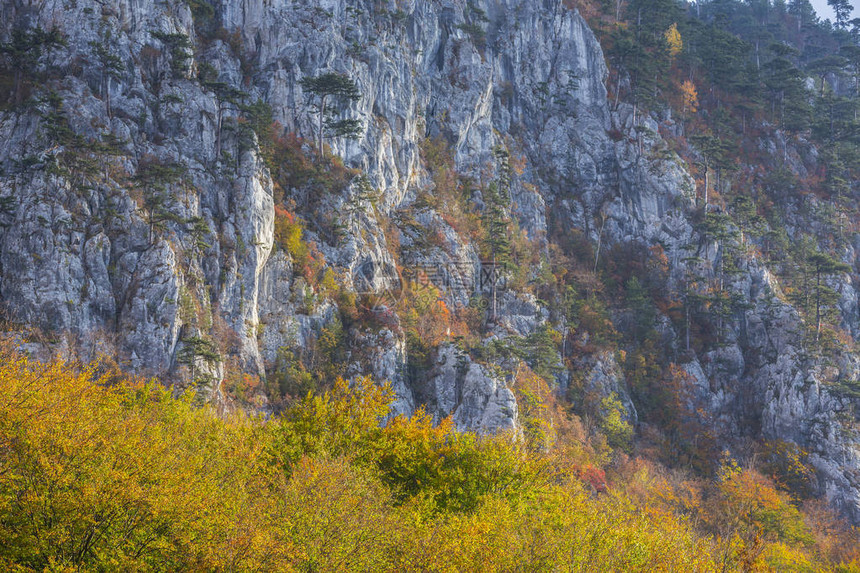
196 283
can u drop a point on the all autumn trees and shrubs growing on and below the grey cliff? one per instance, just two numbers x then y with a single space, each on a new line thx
100 473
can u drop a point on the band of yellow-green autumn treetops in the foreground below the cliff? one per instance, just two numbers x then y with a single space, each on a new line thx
102 473
